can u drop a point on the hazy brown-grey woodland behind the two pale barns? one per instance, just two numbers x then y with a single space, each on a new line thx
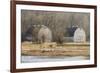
57 22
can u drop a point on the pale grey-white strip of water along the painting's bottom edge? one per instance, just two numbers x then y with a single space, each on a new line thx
29 59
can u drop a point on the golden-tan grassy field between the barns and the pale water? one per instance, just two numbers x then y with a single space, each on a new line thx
53 49
